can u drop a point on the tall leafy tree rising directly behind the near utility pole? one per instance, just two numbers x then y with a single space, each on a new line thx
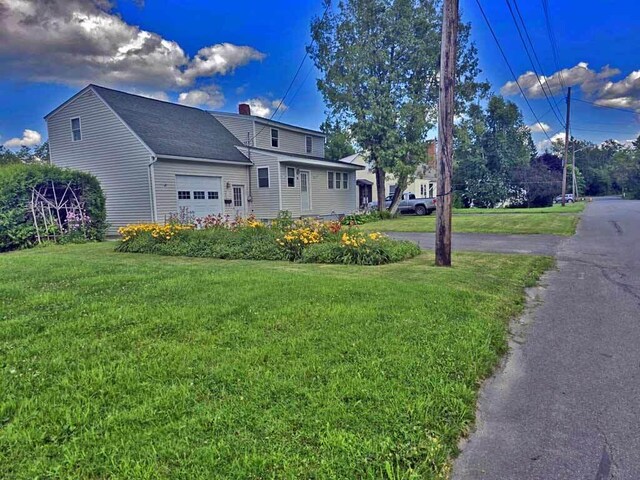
379 61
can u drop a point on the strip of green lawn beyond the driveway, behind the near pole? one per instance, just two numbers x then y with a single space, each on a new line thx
486 221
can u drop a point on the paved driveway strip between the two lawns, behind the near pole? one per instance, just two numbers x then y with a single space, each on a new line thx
480 242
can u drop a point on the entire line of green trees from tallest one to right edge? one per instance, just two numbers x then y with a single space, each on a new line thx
379 63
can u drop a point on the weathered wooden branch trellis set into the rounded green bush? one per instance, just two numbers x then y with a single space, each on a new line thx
50 210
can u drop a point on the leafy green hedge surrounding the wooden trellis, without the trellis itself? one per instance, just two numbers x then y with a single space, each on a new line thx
16 183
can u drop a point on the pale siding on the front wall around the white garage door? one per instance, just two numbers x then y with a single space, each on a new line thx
166 172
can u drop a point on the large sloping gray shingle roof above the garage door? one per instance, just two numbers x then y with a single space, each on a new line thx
172 129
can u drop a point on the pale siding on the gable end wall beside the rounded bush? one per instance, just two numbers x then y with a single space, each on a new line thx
109 151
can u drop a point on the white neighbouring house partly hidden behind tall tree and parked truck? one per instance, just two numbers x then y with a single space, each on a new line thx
424 184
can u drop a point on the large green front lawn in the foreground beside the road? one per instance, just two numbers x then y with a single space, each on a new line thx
128 366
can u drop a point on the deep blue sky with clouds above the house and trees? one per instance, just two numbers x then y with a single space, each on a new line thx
230 52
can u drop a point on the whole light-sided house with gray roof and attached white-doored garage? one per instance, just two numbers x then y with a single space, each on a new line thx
153 158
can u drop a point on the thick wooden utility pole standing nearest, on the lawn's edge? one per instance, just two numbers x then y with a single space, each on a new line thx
445 132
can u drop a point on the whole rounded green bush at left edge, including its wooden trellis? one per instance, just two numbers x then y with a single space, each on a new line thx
74 200
